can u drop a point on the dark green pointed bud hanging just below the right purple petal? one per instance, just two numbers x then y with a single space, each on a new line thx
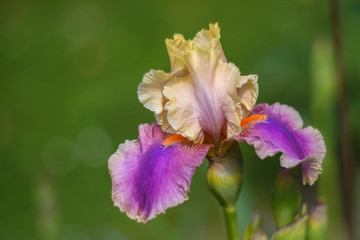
286 198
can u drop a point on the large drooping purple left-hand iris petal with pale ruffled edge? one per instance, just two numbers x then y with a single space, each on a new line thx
154 173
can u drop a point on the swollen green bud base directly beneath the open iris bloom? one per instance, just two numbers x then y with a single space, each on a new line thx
224 175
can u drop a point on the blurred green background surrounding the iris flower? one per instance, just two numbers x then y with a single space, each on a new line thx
69 73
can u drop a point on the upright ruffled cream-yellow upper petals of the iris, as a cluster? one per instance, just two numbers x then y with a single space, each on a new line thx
204 97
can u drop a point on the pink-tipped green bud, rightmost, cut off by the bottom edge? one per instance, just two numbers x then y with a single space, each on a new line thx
317 225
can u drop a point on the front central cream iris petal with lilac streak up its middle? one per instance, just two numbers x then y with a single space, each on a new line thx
205 103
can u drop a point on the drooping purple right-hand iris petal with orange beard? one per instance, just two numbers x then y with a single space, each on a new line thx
281 131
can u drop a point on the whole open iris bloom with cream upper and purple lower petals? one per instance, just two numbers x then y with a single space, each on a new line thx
202 107
